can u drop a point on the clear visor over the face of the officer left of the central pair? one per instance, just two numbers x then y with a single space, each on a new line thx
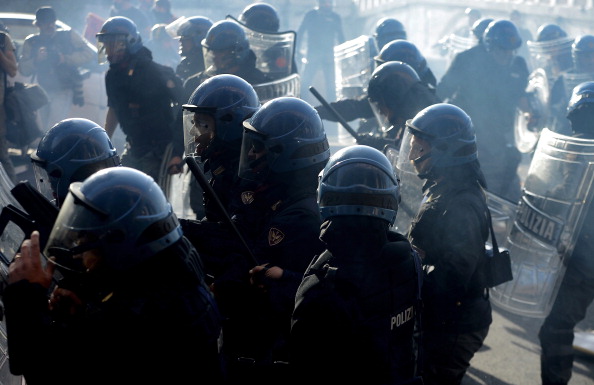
199 131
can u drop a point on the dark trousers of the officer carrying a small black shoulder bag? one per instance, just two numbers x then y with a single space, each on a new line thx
446 356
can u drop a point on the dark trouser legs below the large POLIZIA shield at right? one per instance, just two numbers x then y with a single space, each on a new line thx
575 294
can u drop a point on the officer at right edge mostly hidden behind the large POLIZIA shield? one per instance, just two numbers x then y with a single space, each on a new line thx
576 292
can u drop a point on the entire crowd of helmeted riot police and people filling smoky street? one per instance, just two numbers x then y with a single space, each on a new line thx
292 265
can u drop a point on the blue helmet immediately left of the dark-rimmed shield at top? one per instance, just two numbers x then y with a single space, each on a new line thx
225 45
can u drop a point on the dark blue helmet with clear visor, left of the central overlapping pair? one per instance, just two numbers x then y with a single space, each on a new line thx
230 100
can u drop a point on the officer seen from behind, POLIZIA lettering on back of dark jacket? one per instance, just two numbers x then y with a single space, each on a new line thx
359 301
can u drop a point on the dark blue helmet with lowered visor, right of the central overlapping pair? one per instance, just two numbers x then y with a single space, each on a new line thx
284 136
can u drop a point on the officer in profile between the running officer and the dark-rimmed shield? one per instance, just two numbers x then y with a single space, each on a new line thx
190 35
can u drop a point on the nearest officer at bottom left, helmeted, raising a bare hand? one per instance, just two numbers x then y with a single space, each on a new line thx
133 286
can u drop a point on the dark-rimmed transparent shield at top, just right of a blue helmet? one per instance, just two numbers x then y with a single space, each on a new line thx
275 52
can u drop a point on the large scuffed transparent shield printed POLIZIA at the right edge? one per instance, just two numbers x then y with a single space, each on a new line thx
556 195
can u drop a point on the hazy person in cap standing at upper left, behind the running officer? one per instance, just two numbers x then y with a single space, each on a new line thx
53 56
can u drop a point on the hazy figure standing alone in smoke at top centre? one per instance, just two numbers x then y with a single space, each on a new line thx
319 31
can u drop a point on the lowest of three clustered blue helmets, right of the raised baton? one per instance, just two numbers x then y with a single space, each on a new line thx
389 84
